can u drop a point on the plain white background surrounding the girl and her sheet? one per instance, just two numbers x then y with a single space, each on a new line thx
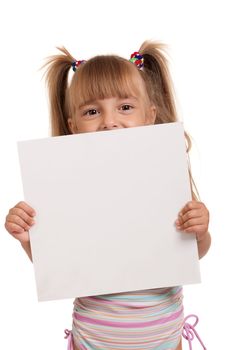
199 39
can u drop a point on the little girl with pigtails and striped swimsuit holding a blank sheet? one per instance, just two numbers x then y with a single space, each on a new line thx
105 93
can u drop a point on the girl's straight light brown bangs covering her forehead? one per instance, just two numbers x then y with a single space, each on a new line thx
104 77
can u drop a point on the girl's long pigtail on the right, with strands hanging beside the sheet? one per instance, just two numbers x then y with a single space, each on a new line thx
161 92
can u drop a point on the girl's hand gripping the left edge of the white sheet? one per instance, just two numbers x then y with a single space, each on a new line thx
19 220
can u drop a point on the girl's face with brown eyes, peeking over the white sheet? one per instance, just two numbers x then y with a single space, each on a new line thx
114 113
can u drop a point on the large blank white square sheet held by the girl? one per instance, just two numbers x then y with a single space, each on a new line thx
106 204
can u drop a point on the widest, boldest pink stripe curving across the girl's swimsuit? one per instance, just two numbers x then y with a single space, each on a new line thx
127 324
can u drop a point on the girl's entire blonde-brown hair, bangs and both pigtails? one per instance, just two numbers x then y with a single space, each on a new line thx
109 76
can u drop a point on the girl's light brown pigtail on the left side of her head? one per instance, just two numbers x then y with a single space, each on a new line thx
58 67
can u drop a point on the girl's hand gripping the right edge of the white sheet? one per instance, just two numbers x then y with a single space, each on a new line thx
194 218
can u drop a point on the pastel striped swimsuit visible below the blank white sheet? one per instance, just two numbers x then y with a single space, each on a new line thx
149 319
